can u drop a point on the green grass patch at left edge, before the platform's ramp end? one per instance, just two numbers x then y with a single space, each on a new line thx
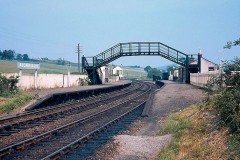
14 102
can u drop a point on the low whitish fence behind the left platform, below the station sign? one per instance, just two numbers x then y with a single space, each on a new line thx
44 81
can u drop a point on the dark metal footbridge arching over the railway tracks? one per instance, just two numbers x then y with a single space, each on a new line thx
91 64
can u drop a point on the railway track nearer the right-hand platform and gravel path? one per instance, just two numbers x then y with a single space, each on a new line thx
54 143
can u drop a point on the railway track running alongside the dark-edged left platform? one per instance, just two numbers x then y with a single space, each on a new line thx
29 119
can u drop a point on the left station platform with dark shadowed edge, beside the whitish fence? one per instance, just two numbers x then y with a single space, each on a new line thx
55 96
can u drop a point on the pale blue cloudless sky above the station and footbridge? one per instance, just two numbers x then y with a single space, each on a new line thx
52 28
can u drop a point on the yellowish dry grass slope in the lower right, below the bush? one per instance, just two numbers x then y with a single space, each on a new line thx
198 136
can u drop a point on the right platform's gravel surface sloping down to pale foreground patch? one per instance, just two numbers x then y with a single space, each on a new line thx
144 144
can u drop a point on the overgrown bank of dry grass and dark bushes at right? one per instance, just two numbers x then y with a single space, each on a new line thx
210 130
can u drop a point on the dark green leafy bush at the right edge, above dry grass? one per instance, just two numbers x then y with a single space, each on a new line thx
227 100
